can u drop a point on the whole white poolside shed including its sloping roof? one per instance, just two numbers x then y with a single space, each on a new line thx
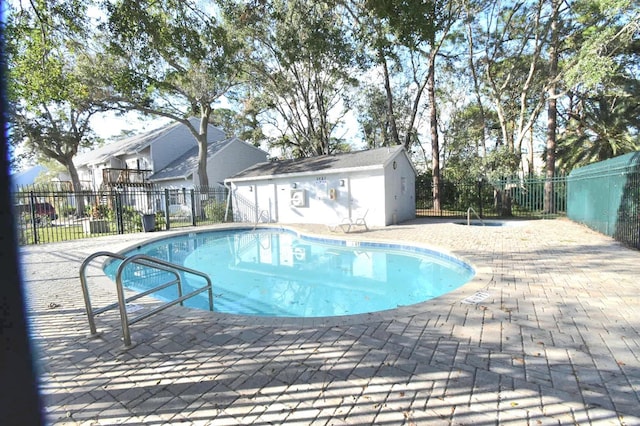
377 185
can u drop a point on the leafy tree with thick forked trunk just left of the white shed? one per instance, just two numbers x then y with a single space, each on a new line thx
169 58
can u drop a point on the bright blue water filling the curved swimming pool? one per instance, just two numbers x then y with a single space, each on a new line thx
278 272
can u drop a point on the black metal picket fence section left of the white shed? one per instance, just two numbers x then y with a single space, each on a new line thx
48 214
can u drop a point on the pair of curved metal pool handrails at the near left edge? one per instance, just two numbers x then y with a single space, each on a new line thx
121 304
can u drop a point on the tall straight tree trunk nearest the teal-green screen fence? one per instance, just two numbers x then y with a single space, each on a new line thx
552 113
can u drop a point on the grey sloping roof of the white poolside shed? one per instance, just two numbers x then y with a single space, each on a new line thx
357 160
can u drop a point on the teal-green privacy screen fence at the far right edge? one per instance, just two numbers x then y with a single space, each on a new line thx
605 196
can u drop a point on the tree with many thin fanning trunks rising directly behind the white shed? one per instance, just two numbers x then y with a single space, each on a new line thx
300 71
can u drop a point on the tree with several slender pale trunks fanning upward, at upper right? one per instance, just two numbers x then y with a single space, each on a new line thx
513 39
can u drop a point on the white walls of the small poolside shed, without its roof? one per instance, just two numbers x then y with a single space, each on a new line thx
386 195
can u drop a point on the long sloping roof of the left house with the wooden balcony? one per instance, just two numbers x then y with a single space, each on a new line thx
139 142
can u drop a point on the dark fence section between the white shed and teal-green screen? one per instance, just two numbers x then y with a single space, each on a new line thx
514 197
